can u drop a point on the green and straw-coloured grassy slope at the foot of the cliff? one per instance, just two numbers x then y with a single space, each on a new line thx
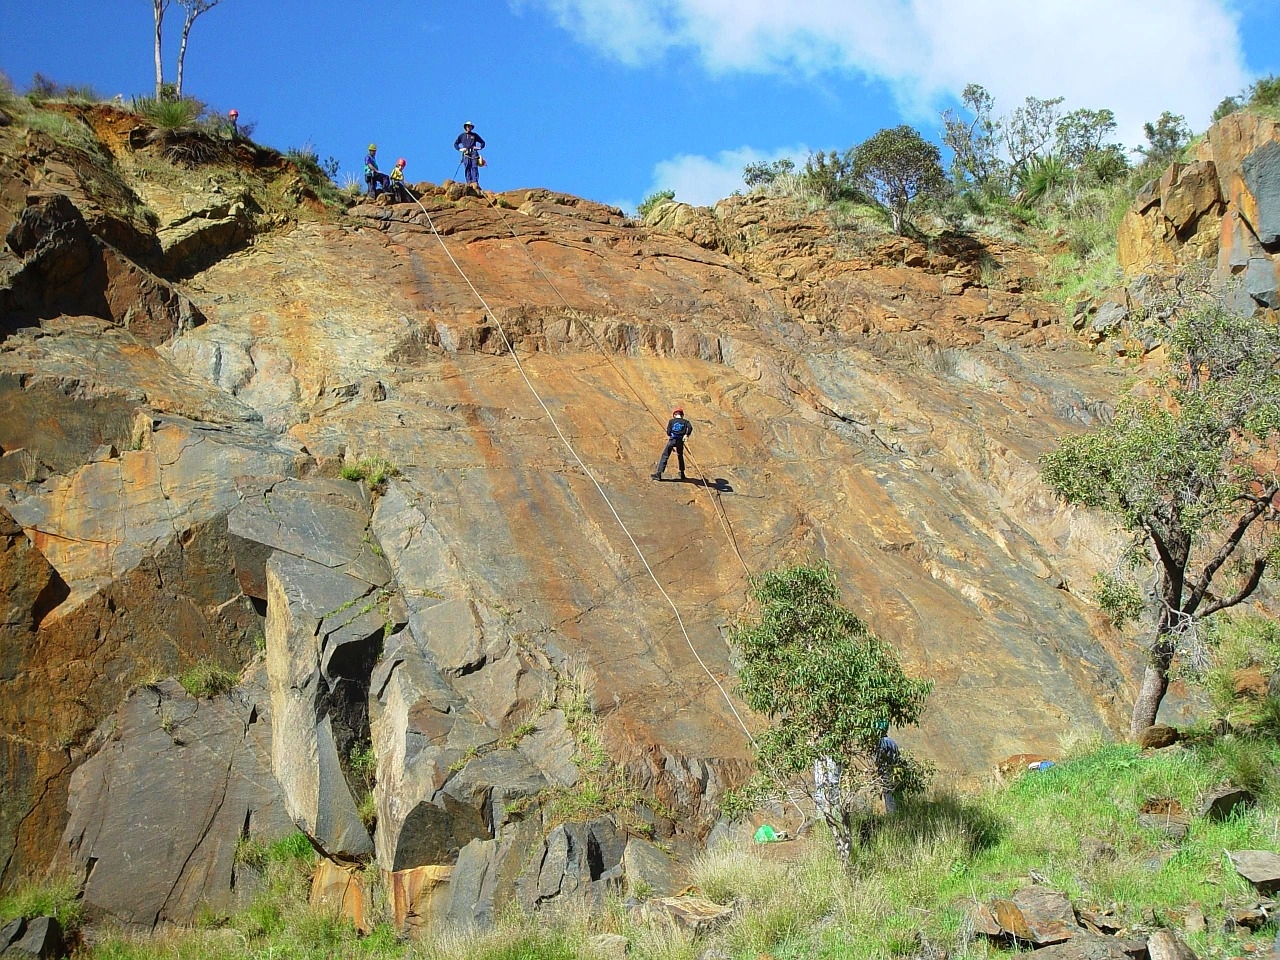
909 895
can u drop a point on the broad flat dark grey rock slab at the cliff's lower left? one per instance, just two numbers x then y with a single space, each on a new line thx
157 812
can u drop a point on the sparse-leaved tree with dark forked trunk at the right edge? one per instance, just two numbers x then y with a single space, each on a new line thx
1190 467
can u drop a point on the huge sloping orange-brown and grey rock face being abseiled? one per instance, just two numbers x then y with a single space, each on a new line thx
189 367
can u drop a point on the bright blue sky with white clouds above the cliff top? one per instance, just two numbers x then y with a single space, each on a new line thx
614 99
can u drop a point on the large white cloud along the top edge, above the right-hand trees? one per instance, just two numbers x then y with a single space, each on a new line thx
1135 57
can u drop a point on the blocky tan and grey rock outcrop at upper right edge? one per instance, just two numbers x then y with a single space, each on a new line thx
1223 208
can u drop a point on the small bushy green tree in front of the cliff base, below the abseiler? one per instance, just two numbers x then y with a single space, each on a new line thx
828 684
